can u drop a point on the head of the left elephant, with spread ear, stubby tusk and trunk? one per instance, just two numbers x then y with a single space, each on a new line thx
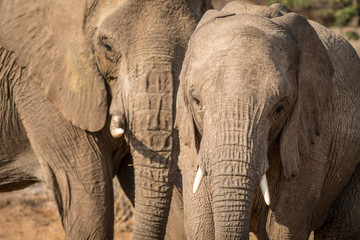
122 58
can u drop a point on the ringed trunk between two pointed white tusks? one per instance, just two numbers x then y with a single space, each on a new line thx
236 165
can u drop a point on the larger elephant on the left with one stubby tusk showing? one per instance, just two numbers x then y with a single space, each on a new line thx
63 65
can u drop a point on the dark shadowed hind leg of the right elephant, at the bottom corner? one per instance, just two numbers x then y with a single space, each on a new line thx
343 220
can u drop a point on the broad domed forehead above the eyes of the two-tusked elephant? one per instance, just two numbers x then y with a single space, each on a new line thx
231 54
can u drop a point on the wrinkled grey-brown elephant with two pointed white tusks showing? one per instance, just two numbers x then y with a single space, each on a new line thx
266 91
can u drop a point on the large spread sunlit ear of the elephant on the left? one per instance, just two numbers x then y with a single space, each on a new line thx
47 37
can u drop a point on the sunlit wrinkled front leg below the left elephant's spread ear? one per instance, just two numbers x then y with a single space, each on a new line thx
75 166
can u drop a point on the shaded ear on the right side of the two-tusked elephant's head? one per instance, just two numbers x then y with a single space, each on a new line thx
314 87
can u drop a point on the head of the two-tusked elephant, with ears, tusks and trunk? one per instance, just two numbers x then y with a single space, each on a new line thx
252 78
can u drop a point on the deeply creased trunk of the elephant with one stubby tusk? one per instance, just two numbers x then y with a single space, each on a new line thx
151 138
